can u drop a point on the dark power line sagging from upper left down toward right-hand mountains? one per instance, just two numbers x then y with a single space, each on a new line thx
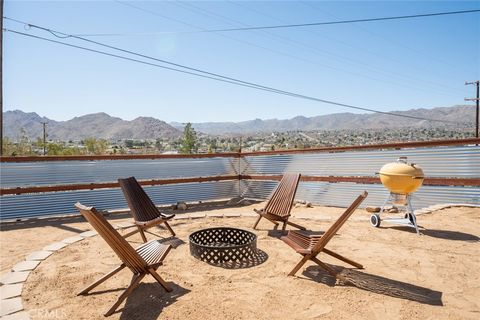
203 74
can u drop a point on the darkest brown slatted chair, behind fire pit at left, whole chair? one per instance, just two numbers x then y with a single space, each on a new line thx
143 210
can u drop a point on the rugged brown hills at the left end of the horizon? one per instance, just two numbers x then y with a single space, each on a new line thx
97 125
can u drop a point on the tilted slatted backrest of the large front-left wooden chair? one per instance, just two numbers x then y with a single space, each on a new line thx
122 248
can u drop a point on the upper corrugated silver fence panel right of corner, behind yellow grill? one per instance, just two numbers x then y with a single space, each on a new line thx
458 162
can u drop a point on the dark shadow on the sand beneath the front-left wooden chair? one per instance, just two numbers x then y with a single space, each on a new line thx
148 301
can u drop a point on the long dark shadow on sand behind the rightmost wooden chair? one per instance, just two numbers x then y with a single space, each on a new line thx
376 284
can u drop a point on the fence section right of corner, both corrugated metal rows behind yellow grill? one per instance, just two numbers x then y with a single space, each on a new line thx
447 162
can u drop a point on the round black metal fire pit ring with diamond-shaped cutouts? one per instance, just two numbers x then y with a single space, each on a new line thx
220 245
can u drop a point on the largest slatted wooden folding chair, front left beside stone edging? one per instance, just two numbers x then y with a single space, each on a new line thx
141 261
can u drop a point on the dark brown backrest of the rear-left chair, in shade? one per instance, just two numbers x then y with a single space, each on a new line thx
140 204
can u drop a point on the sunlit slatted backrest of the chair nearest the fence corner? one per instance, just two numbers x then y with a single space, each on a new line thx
281 201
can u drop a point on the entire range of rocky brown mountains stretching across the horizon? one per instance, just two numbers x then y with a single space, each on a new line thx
102 125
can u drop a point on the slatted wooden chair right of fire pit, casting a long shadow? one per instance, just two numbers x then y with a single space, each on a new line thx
310 246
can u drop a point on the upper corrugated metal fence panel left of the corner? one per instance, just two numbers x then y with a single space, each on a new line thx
23 174
